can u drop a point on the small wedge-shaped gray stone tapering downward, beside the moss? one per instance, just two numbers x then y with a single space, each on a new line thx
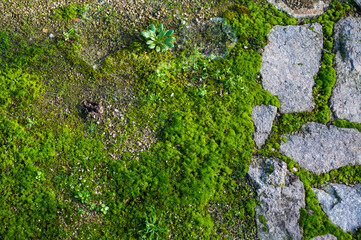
262 117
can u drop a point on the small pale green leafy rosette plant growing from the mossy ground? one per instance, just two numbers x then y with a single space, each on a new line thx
159 39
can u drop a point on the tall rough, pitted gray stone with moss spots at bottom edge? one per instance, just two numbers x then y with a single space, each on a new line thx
281 194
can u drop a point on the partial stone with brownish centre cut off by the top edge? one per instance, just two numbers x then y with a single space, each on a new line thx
301 8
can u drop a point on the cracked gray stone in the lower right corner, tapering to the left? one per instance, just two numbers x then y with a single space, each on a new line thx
342 204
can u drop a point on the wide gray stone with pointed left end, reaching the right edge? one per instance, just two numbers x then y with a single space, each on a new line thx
319 148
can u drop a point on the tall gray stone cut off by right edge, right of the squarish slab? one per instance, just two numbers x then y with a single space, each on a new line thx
346 94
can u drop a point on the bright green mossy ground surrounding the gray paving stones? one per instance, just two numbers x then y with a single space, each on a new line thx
175 138
